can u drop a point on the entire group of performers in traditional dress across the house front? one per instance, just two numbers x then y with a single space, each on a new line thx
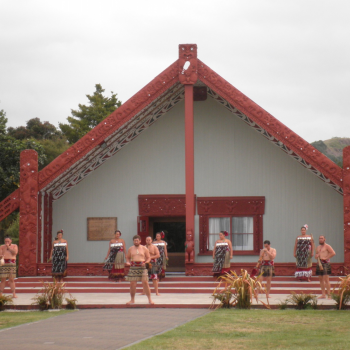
149 262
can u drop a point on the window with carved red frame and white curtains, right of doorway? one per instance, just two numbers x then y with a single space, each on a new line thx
241 217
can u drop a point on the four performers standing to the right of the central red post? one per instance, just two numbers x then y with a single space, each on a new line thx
303 252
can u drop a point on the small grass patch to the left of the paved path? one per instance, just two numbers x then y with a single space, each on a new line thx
11 319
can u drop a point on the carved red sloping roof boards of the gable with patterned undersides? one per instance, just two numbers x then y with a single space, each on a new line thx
149 104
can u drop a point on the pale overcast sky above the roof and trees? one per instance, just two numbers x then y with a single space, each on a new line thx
290 57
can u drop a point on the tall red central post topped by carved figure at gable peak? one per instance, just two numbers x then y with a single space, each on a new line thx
188 76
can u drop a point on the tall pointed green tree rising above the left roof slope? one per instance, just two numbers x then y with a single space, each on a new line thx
88 116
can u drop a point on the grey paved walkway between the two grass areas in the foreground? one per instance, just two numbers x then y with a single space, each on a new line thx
95 329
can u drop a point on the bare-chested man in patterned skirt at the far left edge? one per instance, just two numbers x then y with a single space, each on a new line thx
8 253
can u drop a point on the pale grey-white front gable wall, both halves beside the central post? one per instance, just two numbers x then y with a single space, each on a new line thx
231 159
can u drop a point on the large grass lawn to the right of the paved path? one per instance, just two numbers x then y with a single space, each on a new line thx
258 329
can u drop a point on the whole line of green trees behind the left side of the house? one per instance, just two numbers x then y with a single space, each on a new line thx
48 140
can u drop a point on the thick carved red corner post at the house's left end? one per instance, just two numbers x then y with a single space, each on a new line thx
28 209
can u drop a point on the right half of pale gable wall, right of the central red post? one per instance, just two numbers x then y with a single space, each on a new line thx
235 160
